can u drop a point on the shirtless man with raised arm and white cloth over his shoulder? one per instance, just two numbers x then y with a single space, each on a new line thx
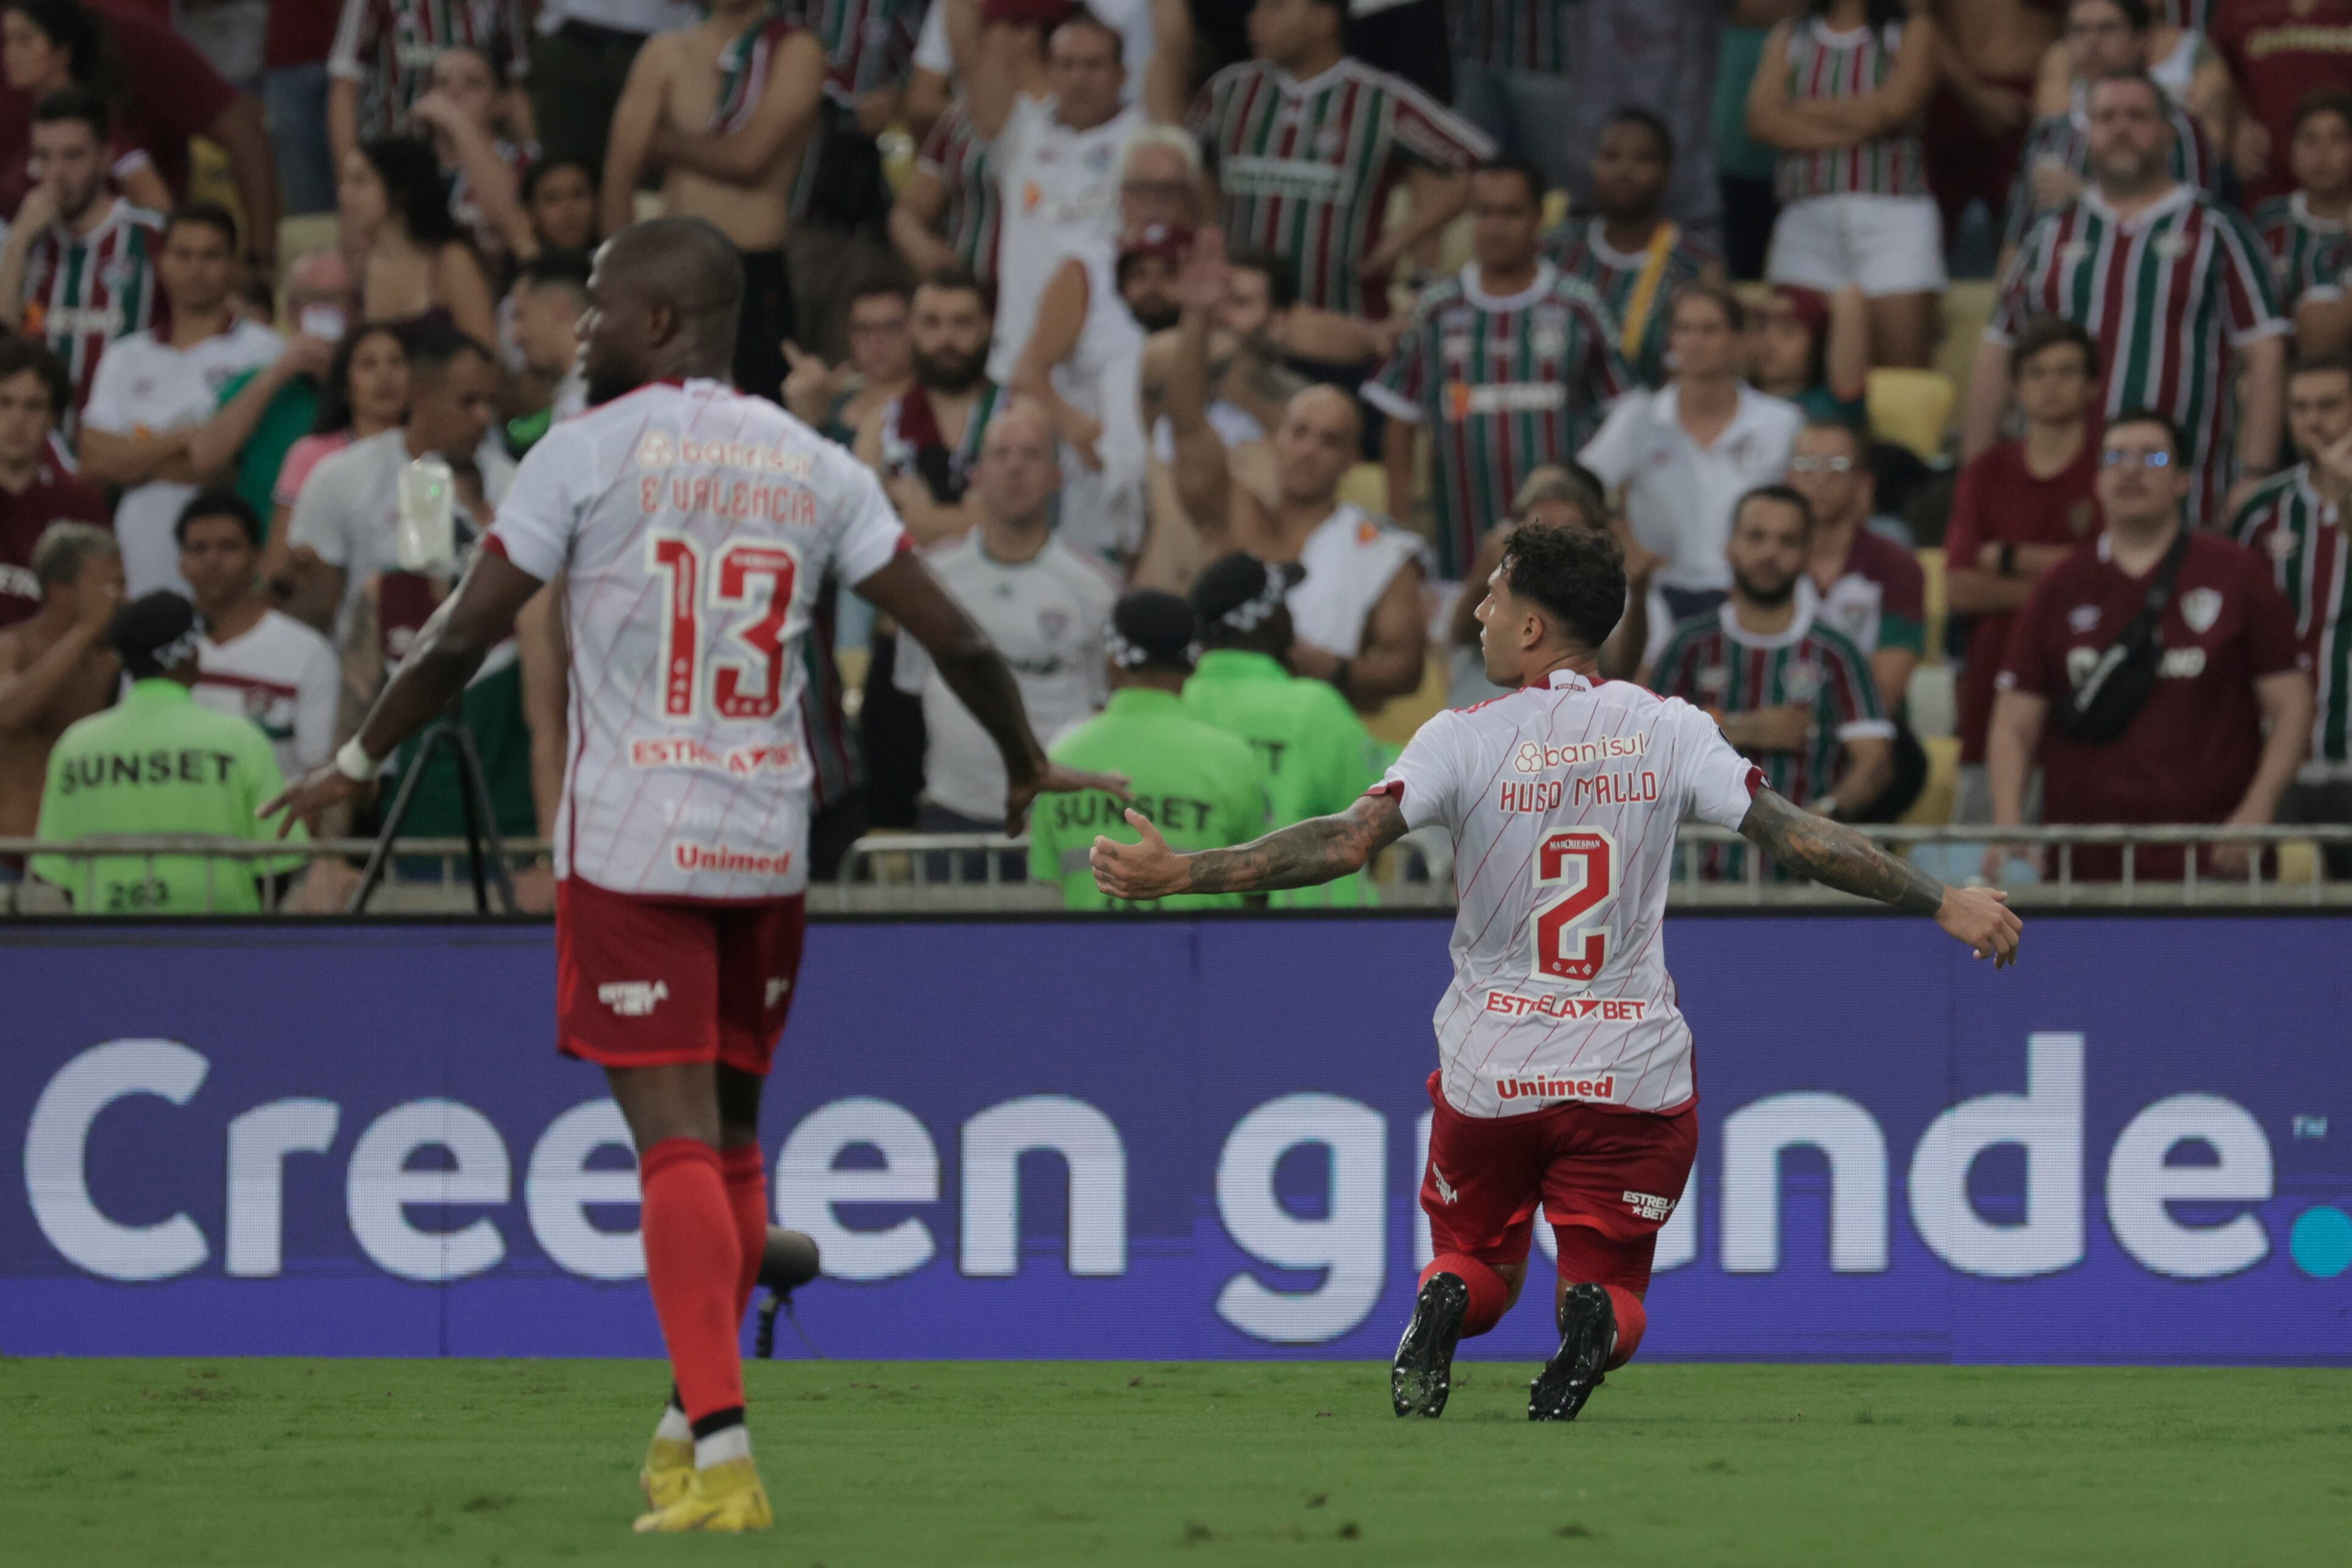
1358 610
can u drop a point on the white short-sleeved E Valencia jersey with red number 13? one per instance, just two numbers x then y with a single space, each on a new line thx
693 530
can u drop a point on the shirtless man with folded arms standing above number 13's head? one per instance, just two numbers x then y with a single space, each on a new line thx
726 156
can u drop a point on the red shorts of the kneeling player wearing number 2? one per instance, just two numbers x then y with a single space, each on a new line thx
1608 1179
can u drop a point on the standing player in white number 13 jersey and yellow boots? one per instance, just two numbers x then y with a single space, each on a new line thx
693 528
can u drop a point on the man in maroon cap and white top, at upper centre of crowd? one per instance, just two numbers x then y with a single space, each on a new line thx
1085 368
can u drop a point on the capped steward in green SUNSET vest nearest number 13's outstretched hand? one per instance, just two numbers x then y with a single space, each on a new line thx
1194 782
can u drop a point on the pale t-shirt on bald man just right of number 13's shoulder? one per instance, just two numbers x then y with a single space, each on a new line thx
1048 617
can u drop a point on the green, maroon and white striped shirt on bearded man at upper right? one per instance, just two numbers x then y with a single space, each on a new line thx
2170 297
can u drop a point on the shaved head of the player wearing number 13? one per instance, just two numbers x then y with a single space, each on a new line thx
662 302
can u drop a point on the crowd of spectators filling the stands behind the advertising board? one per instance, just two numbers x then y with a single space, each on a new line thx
1210 351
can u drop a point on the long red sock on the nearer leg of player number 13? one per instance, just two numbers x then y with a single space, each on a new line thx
693 1261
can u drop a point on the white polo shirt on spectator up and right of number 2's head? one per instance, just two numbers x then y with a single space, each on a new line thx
1681 495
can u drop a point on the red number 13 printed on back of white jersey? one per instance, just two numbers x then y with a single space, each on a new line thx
737 690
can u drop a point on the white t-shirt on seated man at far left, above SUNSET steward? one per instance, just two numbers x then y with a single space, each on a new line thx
149 387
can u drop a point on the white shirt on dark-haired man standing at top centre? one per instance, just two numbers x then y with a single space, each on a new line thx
1057 189
